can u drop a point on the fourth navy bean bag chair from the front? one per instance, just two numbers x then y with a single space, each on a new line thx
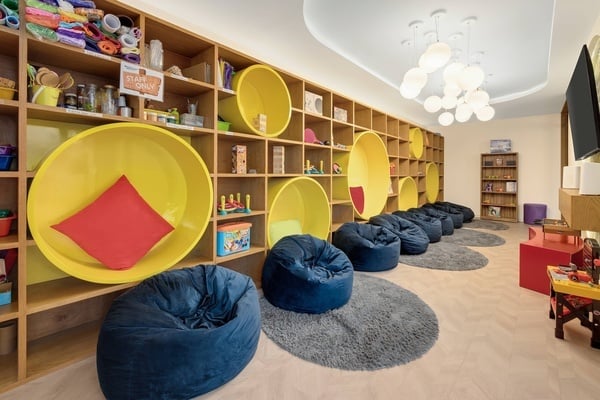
413 240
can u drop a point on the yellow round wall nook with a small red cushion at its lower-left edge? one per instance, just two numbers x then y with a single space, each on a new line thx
368 174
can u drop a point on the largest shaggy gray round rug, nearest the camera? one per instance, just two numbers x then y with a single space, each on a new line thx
381 326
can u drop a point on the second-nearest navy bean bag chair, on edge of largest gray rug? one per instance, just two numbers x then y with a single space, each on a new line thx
306 274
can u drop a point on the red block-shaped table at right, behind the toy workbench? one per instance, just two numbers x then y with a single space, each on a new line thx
538 252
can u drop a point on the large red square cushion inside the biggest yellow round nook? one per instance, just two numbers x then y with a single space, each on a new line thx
118 228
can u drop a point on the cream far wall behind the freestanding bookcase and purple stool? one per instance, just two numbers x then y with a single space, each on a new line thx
536 139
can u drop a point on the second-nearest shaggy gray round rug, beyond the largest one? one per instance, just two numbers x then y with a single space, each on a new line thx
446 256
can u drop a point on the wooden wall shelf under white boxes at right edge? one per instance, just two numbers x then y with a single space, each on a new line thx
581 212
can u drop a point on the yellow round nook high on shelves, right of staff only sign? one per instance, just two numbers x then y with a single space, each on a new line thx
259 90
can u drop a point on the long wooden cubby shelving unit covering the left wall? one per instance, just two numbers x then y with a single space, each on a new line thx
57 319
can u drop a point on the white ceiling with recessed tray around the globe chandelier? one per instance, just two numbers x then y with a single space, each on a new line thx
355 47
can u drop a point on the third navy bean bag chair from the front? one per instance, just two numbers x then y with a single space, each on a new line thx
369 247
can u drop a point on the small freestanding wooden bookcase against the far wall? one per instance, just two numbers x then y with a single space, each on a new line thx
499 189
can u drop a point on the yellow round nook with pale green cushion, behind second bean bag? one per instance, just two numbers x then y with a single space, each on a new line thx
297 206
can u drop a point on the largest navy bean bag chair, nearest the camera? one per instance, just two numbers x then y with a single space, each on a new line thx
178 334
